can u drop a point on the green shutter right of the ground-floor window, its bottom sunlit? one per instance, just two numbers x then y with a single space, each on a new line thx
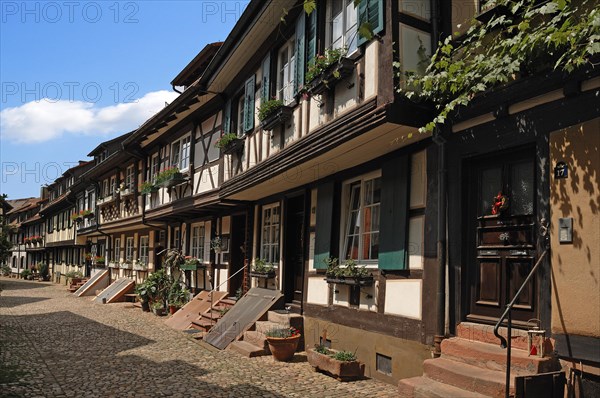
394 214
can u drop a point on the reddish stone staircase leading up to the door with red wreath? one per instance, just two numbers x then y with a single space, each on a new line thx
474 365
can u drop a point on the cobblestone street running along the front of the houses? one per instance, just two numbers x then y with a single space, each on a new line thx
53 344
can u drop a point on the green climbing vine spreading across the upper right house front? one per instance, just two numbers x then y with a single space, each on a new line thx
528 36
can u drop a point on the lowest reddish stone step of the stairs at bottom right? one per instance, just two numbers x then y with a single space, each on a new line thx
424 387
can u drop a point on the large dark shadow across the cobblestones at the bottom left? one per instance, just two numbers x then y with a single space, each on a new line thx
75 356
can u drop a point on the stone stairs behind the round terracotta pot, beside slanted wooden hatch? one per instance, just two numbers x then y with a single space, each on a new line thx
254 342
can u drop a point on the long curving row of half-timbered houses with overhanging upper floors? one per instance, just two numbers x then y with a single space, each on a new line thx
338 171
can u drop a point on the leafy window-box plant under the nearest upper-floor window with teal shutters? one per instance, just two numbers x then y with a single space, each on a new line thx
326 69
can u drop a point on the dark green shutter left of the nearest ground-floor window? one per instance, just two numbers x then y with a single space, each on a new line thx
325 195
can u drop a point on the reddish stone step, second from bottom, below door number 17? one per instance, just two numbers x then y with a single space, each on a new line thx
466 377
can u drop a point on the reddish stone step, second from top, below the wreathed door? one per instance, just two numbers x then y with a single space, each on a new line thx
493 357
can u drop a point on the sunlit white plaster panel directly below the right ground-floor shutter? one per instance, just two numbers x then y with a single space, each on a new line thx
403 297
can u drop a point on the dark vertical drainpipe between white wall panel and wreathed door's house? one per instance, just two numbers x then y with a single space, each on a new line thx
440 330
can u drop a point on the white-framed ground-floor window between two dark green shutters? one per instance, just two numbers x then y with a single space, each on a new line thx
361 221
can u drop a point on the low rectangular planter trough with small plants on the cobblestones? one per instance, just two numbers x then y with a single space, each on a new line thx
342 365
